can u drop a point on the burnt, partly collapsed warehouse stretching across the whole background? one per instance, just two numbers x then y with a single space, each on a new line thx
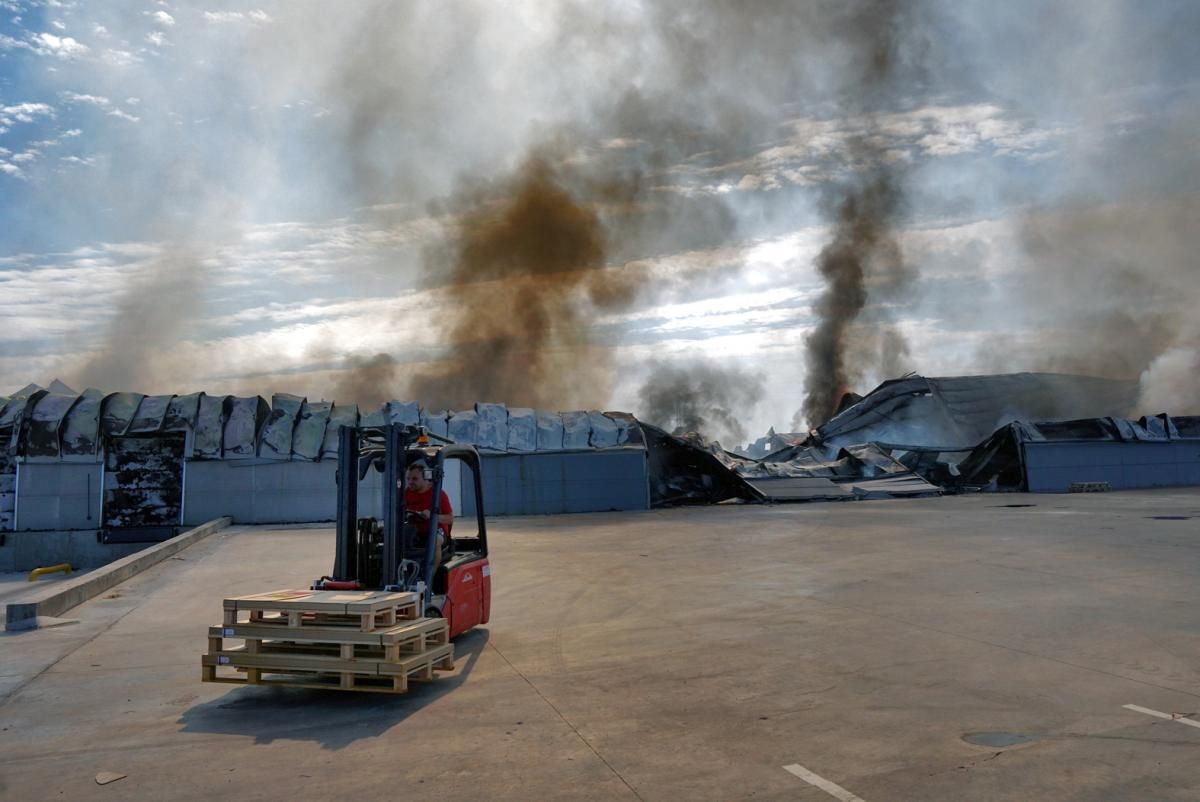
129 462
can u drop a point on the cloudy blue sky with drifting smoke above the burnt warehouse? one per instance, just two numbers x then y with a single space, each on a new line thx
262 199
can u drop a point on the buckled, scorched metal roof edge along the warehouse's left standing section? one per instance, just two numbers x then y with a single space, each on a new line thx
44 426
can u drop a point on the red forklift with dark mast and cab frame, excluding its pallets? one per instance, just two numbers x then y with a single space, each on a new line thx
388 552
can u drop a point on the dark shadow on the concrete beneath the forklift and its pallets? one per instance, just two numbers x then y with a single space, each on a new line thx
332 719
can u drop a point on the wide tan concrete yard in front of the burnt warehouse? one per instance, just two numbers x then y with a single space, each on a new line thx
676 655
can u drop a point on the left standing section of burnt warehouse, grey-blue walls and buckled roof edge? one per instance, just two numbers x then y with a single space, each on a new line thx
133 462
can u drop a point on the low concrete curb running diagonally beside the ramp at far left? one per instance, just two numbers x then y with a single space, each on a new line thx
61 597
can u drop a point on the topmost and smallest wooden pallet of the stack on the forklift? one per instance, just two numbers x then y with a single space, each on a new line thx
363 611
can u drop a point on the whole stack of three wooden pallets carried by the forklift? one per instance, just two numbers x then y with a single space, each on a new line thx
351 641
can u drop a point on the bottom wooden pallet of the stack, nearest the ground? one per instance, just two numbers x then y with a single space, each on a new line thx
325 672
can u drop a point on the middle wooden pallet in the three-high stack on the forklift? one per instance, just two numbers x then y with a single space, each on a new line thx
406 638
